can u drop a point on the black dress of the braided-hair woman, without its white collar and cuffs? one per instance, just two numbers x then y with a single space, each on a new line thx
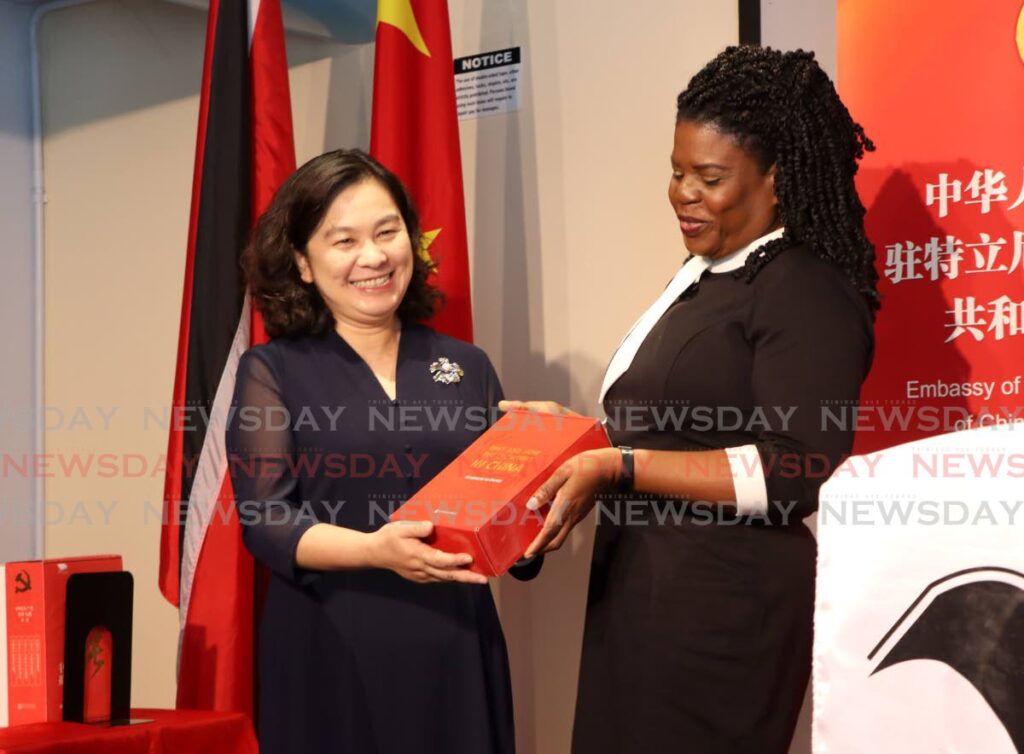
699 623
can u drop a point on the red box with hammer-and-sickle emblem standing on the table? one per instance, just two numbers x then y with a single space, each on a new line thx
32 635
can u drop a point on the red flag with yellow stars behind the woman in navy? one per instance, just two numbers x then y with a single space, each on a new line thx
416 135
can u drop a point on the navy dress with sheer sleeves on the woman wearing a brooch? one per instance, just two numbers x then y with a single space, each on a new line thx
363 662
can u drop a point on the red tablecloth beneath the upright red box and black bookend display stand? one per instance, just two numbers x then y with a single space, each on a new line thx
173 732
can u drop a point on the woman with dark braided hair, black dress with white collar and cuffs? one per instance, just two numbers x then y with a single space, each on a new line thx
700 613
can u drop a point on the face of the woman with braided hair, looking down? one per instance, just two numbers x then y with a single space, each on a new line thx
722 198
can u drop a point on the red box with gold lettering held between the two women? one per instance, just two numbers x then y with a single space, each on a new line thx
479 502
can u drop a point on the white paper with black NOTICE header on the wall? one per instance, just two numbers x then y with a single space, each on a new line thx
488 83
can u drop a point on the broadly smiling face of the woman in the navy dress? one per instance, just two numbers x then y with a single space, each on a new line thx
360 258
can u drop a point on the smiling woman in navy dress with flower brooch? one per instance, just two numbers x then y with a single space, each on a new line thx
371 641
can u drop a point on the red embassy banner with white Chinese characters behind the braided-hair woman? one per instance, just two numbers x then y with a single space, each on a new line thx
945 194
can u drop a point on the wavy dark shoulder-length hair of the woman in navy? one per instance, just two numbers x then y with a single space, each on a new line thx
291 308
